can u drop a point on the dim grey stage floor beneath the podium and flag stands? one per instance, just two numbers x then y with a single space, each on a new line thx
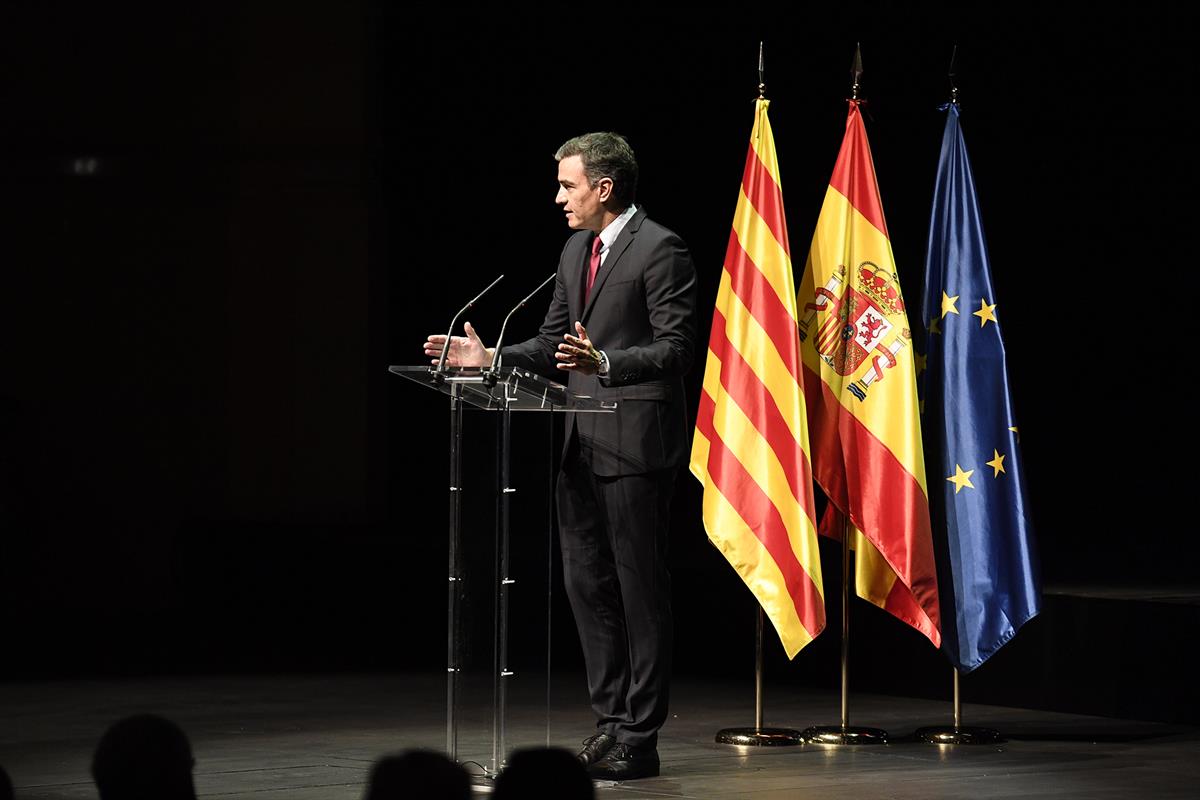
305 737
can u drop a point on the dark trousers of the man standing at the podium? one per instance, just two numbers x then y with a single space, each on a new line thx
614 537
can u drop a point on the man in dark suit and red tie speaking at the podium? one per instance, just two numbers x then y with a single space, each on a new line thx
623 327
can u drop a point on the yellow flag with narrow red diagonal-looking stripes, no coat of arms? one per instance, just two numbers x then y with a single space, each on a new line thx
752 444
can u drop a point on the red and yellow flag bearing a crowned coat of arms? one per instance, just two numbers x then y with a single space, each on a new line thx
860 382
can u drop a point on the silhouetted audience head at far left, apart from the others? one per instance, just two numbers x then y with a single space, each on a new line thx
145 757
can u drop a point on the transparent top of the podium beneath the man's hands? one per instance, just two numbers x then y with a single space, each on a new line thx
513 388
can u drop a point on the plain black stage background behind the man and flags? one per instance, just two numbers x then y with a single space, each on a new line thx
221 226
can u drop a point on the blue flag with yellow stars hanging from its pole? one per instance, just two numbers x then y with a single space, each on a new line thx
985 537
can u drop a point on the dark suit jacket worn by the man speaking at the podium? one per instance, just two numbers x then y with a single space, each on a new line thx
643 314
